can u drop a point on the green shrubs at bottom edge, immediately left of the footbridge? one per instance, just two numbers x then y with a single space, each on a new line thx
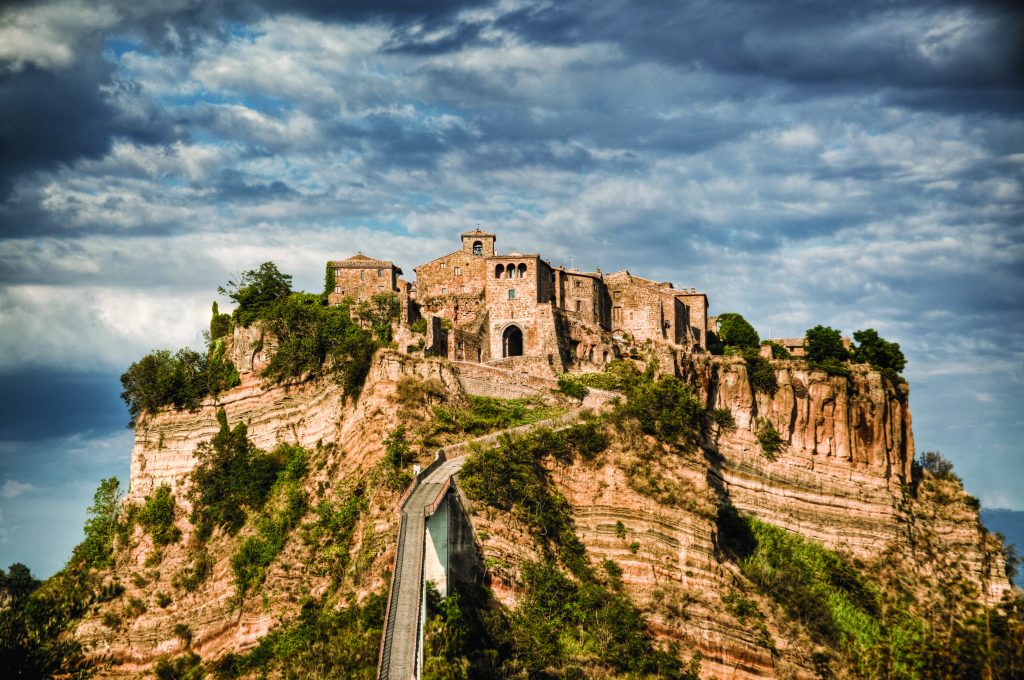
322 643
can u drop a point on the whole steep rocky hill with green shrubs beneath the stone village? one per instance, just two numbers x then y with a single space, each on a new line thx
675 515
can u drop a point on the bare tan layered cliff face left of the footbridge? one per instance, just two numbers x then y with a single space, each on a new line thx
348 437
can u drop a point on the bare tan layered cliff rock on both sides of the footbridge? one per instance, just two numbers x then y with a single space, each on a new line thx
844 478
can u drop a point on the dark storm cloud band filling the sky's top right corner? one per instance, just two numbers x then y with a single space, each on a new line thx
866 44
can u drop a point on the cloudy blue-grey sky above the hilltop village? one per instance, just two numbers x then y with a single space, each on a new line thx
858 165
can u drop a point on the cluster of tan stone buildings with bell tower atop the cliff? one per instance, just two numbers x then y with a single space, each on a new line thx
519 311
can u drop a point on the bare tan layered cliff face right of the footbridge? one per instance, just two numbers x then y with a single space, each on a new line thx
844 478
